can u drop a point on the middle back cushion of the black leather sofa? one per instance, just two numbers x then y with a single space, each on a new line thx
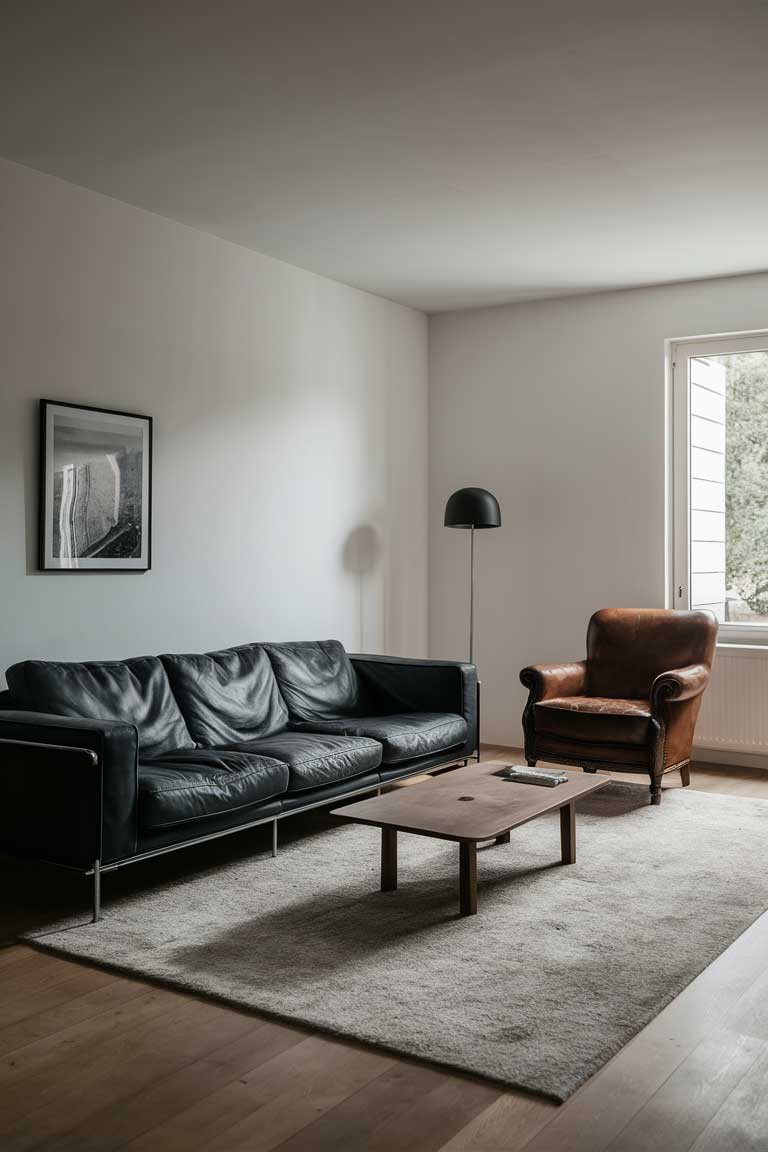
227 698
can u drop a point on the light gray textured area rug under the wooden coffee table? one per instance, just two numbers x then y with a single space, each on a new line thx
560 968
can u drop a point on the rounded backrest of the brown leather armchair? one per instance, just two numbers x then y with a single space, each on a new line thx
629 648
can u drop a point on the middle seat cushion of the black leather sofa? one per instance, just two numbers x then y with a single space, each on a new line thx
316 760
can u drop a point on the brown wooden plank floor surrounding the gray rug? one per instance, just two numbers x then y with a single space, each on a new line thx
92 1062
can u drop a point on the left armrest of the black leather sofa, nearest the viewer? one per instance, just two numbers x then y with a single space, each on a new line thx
69 786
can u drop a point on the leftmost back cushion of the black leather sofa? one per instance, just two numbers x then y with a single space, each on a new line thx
135 692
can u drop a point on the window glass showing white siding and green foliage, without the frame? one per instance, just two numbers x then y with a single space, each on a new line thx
729 486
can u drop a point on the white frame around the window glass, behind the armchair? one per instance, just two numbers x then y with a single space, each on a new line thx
680 474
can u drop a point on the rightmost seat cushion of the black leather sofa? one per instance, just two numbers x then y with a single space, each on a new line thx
404 736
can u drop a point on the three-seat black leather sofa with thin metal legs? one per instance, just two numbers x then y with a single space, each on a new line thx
104 764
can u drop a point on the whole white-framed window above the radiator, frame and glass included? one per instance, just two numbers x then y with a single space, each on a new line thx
720 480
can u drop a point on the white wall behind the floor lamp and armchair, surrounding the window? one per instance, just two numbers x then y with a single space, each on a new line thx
559 408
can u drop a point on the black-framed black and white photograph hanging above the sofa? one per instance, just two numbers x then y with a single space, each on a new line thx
96 489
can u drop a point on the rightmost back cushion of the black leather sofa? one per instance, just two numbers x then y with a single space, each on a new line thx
317 679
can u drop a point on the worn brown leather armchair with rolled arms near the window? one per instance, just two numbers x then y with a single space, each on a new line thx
633 704
